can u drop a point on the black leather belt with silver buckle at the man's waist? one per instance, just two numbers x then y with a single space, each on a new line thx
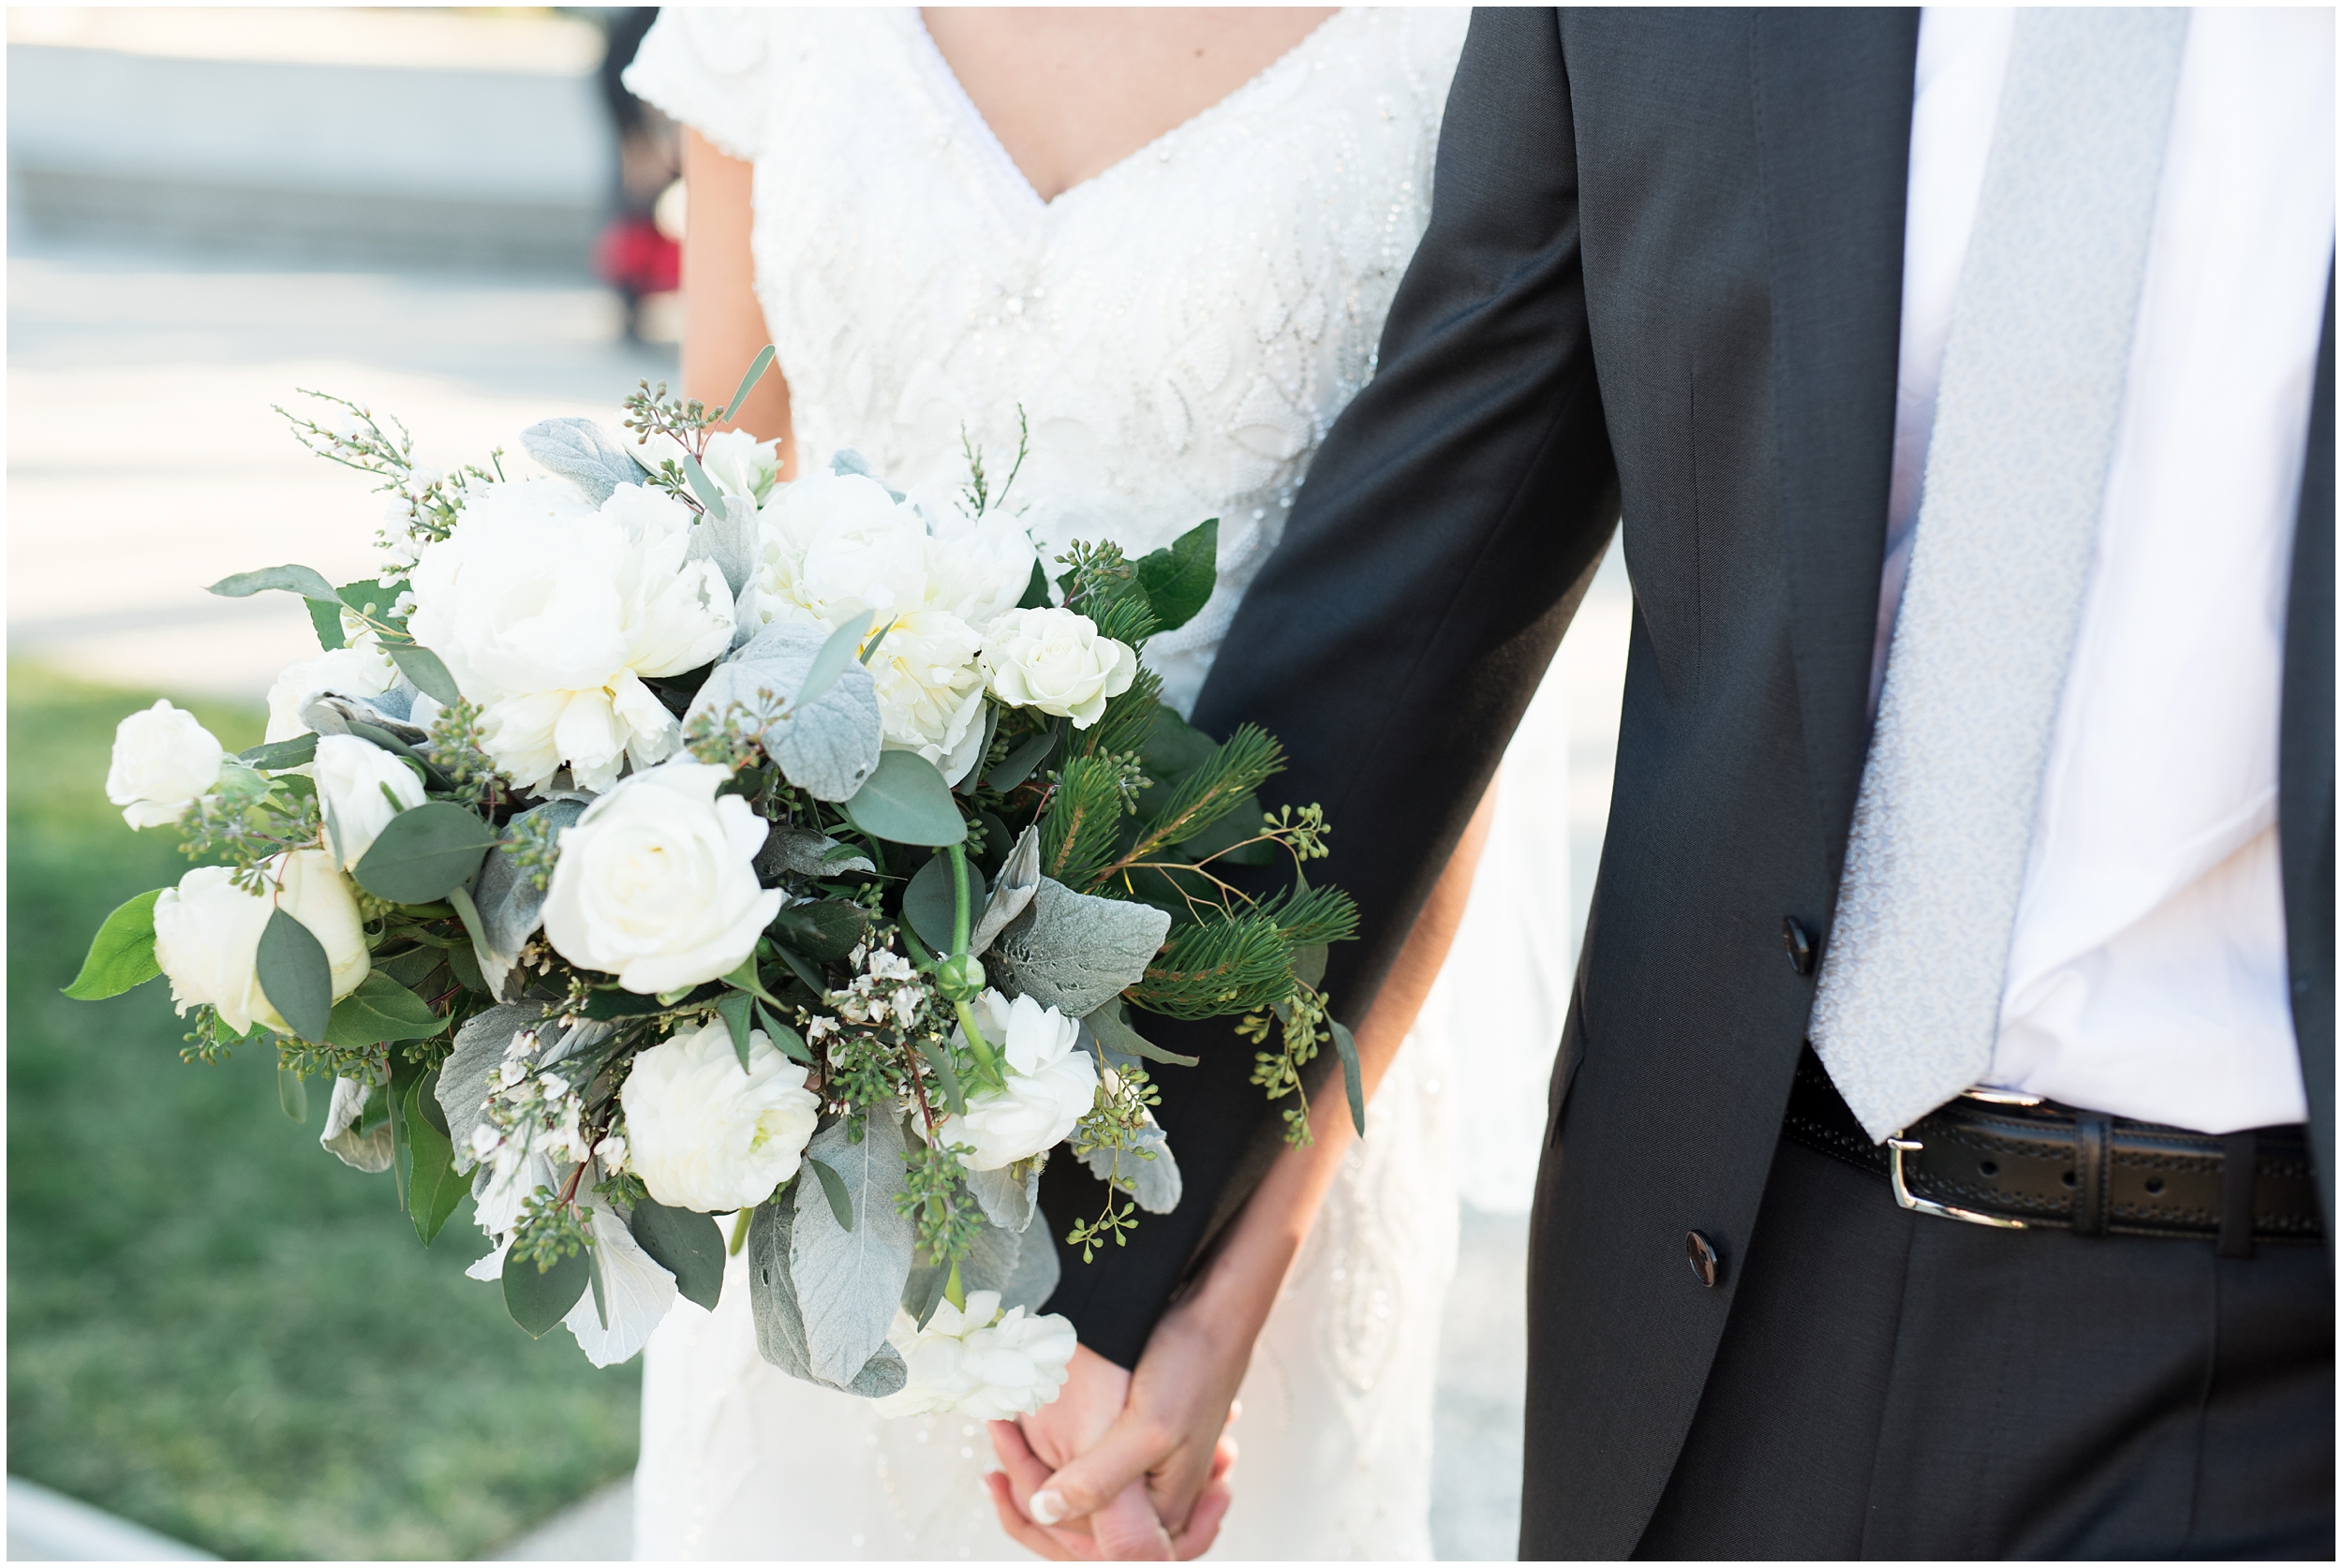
2043 1167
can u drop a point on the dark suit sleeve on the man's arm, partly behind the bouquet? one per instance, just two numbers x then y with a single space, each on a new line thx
1392 642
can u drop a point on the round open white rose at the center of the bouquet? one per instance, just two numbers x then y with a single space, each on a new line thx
657 883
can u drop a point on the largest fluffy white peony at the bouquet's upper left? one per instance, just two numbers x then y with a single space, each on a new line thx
549 614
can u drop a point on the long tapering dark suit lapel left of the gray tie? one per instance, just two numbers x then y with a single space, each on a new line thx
1833 97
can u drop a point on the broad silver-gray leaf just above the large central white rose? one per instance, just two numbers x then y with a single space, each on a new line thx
833 745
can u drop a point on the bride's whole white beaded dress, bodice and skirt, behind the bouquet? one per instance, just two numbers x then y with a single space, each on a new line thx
1179 331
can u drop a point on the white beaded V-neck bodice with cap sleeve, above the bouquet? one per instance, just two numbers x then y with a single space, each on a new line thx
1179 329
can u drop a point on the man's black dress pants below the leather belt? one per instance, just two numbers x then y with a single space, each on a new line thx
1905 1387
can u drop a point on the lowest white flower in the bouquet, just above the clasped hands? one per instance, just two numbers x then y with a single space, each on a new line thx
982 1363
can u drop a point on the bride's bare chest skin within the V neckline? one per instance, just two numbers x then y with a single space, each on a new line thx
1074 92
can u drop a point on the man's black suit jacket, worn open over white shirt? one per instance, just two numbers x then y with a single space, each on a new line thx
1664 277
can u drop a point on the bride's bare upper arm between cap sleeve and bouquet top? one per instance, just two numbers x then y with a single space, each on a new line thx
723 319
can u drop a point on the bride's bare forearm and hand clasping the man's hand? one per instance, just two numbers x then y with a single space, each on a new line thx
1189 1375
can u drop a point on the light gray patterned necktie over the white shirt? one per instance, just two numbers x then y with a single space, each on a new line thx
2041 331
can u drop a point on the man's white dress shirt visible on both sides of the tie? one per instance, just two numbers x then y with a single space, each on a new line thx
2149 965
